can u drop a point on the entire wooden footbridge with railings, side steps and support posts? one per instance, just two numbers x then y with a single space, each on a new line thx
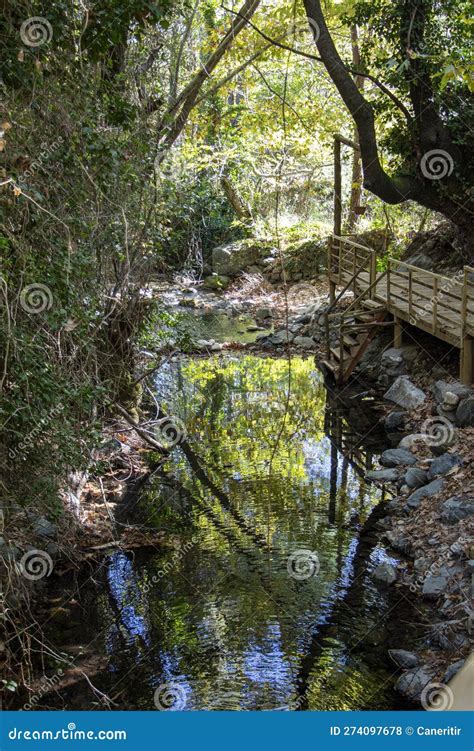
400 293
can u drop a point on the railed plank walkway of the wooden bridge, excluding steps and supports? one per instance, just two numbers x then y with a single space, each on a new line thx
439 305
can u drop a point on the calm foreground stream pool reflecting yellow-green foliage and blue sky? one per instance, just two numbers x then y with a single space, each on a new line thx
264 600
